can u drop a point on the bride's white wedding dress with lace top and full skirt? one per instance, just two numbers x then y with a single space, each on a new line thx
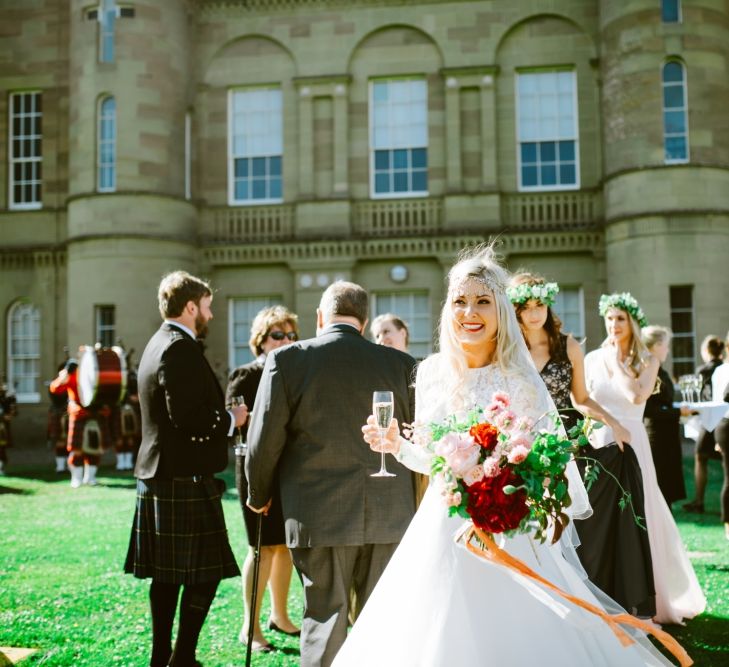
438 605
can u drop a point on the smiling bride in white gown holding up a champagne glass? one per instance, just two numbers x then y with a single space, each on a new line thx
436 604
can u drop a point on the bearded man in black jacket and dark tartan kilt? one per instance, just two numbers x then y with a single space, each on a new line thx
179 538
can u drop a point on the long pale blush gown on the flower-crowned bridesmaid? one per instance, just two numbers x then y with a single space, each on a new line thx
678 594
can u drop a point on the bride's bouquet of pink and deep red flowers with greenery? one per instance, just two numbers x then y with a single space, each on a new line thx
494 468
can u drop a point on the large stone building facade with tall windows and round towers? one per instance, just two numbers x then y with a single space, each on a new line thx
274 146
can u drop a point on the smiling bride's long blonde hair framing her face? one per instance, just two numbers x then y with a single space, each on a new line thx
482 264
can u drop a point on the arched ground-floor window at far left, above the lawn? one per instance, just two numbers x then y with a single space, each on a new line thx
24 351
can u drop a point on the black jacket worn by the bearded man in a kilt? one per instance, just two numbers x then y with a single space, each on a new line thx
184 421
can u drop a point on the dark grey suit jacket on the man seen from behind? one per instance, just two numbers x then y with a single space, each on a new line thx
313 399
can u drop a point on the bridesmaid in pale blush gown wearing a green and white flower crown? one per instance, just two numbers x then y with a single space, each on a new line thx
621 375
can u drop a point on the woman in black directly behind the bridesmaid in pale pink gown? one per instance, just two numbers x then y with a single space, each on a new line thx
661 421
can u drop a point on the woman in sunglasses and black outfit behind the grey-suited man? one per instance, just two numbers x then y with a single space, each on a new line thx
272 328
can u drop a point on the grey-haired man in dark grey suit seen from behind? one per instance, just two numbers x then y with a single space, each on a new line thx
342 525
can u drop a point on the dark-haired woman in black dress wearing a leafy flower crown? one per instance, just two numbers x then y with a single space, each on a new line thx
614 551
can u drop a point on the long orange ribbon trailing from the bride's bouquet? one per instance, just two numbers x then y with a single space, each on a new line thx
494 553
